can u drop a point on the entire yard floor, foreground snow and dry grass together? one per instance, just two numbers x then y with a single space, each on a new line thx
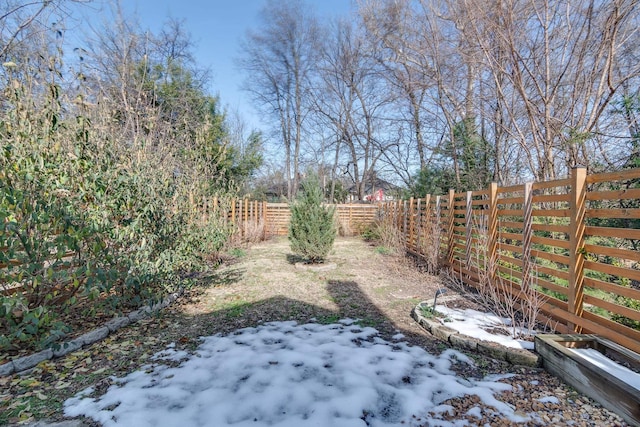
332 375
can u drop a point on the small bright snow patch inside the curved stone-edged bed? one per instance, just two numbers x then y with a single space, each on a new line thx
475 323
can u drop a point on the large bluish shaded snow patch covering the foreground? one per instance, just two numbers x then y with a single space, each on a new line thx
284 374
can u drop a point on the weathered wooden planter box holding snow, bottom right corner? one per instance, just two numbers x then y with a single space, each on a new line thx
590 378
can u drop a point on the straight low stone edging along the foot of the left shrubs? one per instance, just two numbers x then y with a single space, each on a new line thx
27 362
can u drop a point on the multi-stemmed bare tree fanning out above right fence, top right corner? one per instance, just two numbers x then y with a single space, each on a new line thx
561 61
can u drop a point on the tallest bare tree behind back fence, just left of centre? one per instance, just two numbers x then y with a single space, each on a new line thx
279 60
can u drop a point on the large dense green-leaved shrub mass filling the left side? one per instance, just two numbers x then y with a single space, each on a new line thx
95 212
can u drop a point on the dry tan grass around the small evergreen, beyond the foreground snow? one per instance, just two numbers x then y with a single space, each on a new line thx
356 281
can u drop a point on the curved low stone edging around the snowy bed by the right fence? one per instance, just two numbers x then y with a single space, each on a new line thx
494 350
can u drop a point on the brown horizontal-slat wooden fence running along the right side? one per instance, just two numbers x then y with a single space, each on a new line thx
573 240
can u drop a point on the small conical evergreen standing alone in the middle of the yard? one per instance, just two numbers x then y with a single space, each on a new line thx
312 229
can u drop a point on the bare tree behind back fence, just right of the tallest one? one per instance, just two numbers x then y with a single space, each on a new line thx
352 98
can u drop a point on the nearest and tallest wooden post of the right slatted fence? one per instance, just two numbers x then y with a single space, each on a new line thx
576 243
